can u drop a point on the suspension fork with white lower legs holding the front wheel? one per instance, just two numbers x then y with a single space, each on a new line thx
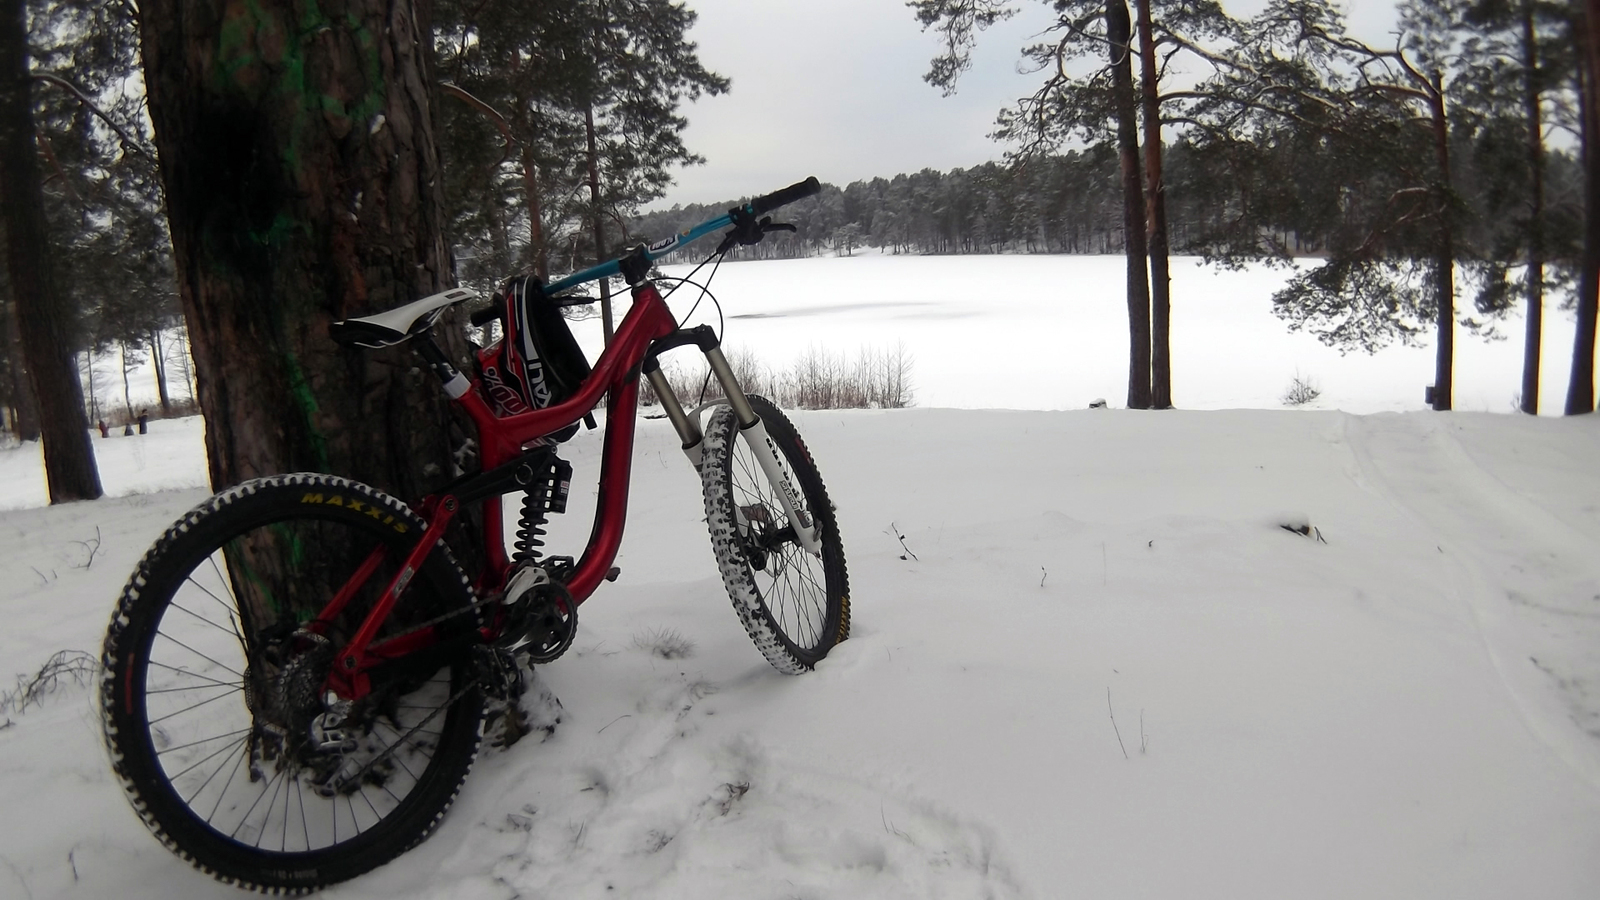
751 428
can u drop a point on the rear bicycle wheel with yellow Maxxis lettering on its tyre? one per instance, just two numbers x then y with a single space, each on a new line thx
214 691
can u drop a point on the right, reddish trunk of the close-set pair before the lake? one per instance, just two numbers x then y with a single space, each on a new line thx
1156 214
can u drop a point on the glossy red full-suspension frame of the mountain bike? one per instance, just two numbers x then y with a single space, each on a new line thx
502 441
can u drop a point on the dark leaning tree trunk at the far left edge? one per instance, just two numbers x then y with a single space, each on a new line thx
41 307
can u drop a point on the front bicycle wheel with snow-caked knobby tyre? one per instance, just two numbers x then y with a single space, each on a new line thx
794 606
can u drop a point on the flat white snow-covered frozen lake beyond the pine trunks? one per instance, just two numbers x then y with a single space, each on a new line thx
1052 332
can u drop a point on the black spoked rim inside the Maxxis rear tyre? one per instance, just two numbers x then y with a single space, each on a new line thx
231 697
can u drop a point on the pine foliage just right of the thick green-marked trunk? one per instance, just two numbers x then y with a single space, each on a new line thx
590 94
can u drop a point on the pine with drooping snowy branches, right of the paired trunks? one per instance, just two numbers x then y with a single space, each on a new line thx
1374 129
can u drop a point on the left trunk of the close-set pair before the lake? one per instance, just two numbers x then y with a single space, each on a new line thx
1119 34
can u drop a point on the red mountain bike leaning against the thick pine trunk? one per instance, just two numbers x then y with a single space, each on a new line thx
297 675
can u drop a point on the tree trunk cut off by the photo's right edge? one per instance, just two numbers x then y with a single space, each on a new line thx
1582 387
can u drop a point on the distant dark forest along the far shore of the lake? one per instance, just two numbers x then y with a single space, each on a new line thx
1066 204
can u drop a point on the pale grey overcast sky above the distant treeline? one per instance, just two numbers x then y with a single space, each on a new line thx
834 89
